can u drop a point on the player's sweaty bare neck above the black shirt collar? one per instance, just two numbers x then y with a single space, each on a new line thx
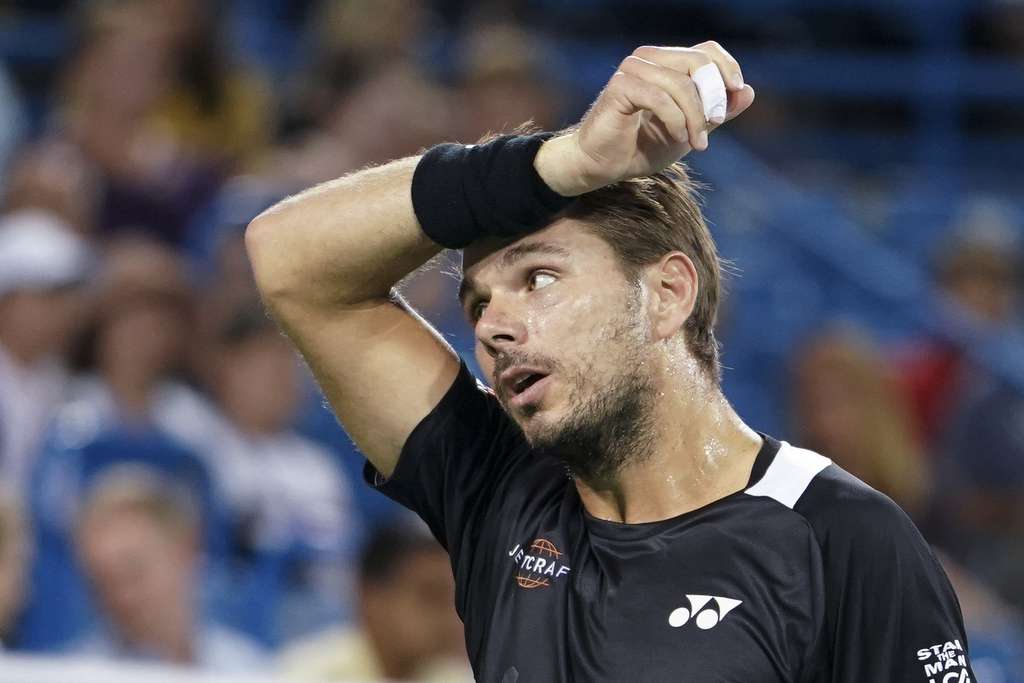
703 453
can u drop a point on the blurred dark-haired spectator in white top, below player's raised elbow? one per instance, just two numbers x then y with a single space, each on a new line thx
292 517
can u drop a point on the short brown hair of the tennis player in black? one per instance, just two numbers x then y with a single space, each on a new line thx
645 219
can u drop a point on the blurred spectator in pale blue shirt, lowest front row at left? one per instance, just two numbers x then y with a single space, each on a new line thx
139 540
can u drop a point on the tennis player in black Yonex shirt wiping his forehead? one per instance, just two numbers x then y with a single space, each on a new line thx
609 517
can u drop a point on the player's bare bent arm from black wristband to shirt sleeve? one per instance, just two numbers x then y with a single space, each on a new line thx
326 262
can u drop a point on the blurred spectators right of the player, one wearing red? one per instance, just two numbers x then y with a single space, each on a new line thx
926 421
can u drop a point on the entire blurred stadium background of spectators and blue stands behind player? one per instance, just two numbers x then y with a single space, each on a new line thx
175 493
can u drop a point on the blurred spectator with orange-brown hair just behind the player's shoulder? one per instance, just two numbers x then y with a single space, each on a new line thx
847 407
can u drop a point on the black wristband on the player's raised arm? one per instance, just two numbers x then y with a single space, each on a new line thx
462 193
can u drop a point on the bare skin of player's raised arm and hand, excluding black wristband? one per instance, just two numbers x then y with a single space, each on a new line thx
327 260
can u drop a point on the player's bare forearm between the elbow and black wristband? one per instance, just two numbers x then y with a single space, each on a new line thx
342 244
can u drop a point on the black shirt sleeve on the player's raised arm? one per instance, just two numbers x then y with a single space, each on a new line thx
455 465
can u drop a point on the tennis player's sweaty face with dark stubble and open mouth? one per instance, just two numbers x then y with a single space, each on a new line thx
566 340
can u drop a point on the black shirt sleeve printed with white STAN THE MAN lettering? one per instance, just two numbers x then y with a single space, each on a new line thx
892 616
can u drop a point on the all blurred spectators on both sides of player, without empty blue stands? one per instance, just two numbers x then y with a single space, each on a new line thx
174 488
